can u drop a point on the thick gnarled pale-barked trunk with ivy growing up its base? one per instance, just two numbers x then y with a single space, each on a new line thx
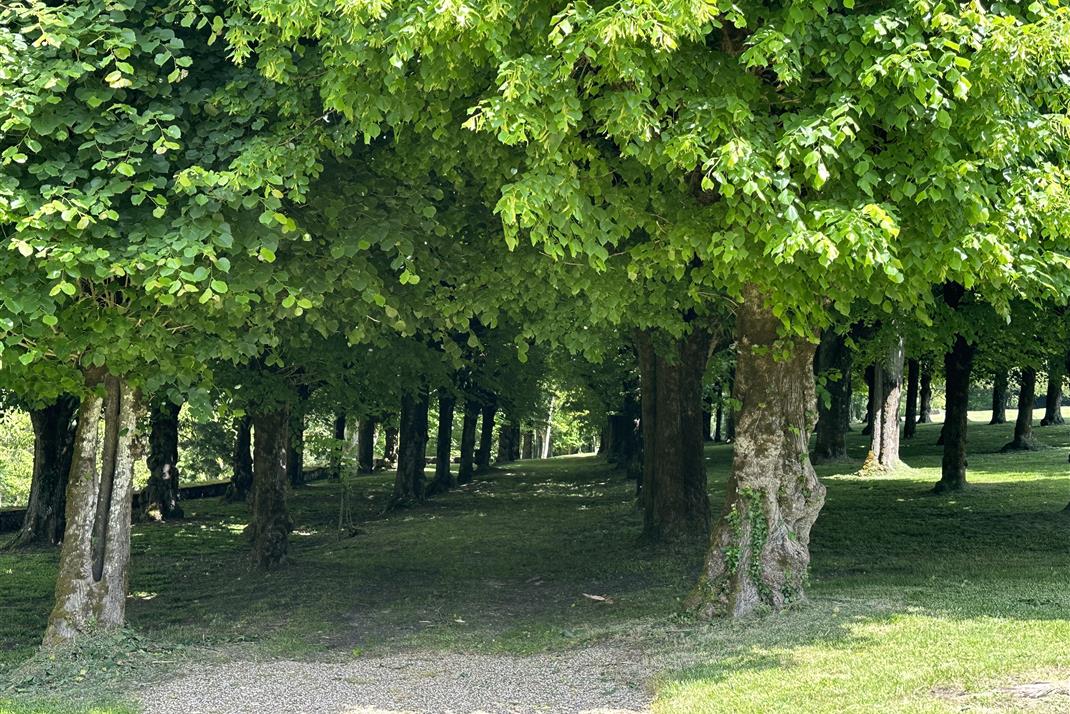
759 553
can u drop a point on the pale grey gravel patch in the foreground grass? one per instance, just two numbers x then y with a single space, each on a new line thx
599 680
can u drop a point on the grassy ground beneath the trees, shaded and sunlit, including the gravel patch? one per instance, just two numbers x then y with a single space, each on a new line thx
529 591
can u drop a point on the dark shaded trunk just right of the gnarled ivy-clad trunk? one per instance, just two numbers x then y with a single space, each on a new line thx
833 363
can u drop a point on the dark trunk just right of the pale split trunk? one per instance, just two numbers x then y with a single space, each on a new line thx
161 498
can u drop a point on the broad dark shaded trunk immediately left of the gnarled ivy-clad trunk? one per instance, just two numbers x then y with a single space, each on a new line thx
674 490
